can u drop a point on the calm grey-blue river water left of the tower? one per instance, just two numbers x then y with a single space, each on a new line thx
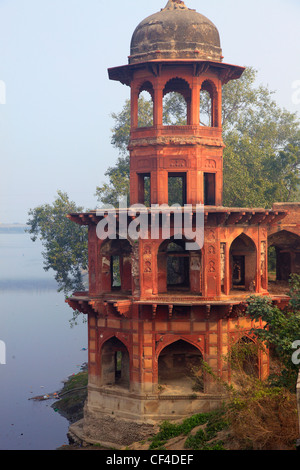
42 349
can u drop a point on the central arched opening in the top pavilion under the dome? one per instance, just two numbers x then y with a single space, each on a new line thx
176 103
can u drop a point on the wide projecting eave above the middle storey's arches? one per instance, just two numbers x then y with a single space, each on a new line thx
213 215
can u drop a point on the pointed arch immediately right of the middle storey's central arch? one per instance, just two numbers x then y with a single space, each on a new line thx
243 264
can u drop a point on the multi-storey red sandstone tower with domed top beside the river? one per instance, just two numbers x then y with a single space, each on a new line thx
156 309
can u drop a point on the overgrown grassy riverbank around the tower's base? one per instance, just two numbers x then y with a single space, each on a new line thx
264 414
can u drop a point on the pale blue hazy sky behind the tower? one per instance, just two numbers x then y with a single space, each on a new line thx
55 128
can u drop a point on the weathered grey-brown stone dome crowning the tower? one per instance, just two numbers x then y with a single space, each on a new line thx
176 32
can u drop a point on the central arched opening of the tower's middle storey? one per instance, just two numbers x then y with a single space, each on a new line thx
178 269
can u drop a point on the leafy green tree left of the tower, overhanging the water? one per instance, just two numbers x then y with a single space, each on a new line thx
64 242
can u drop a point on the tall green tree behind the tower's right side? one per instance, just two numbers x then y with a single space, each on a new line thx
262 154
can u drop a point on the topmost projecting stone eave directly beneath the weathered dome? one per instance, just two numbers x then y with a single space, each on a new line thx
226 72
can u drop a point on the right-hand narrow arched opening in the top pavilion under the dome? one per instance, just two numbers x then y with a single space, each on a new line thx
208 103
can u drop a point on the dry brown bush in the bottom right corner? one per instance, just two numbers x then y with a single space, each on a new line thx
263 417
